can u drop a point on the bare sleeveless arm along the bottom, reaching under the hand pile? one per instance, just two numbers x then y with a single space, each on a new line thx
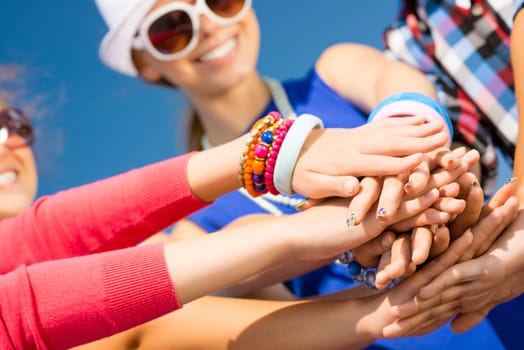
254 324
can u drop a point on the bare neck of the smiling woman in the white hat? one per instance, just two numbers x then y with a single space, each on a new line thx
226 116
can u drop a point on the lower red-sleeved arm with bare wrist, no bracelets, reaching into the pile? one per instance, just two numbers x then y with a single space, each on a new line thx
68 302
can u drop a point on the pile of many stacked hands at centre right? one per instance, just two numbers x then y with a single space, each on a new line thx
421 226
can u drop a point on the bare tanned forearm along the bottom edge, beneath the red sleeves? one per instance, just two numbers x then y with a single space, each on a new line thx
232 323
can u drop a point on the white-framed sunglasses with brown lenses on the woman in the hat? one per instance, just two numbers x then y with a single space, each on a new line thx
171 31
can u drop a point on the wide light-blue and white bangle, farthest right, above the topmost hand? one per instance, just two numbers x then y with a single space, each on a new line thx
412 103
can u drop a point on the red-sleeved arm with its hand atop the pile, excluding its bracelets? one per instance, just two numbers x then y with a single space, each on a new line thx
126 209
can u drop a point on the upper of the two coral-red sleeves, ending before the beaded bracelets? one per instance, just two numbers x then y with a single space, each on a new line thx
112 213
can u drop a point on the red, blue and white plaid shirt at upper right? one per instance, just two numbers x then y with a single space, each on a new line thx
463 47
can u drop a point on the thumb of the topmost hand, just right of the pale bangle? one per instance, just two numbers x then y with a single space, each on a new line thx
321 186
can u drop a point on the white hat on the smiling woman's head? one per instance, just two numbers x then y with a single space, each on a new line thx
123 18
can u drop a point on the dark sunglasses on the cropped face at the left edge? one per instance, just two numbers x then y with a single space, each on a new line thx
15 128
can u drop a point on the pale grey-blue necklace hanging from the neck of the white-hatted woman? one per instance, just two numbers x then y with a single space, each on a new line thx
268 201
